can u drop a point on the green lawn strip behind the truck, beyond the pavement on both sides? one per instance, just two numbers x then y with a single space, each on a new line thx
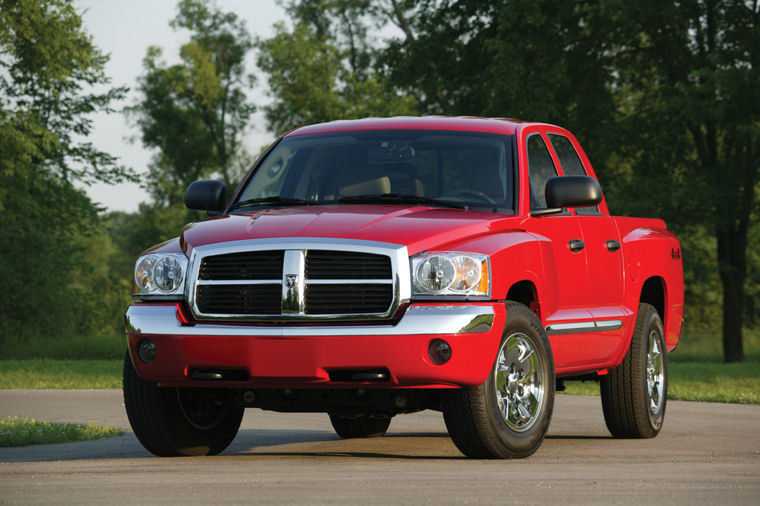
696 371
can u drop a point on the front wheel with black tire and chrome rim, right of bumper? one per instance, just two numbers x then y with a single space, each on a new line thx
475 416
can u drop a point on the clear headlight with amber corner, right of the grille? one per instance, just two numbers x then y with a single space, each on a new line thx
451 274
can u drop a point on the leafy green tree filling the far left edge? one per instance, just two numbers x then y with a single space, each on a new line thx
48 67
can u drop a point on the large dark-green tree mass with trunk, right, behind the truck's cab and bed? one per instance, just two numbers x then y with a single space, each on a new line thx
664 96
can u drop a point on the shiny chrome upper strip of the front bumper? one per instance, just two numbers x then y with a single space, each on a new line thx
418 320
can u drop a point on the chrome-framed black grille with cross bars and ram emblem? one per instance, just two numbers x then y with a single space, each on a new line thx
250 281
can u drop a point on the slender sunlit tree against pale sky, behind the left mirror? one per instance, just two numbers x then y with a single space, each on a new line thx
194 113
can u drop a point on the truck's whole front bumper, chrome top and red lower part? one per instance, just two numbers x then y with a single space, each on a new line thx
287 356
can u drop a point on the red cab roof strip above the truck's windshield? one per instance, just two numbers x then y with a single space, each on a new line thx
461 123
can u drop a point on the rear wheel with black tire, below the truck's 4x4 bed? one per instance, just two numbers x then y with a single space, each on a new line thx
634 394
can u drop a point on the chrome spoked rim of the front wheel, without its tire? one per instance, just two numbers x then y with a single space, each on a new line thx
519 382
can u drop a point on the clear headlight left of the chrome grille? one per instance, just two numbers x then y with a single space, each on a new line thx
160 274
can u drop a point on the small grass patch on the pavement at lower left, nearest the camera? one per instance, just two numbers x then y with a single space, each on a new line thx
24 432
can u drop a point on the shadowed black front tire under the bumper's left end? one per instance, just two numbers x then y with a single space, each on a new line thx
173 422
